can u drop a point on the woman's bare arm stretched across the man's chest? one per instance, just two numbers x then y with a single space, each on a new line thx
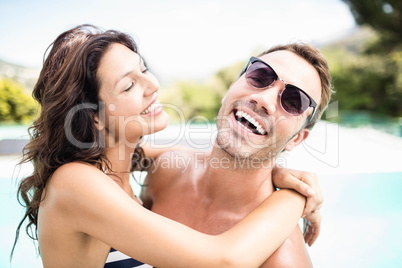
103 210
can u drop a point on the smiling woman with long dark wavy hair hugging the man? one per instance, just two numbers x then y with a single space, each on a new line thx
97 100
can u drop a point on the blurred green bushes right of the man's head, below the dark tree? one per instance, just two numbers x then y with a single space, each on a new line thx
366 82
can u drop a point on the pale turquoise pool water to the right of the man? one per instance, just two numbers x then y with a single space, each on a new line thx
362 217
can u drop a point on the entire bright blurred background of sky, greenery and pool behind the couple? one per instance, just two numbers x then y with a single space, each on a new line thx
196 49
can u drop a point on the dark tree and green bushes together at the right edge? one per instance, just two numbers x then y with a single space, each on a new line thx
370 78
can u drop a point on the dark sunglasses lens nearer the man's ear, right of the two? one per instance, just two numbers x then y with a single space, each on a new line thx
294 101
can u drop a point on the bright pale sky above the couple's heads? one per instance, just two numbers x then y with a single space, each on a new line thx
179 39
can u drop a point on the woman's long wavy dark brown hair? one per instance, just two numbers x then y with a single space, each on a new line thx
67 82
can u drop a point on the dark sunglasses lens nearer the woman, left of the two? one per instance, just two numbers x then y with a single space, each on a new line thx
259 75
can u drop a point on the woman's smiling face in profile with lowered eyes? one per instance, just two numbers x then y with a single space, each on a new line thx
130 95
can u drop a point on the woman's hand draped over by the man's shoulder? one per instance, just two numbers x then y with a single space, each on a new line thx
306 183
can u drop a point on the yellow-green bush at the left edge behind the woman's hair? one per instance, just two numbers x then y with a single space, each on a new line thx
15 104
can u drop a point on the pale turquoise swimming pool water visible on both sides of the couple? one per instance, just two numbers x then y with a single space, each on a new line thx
362 216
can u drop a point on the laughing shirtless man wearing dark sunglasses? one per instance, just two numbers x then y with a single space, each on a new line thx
271 107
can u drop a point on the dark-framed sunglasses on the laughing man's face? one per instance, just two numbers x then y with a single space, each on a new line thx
294 100
